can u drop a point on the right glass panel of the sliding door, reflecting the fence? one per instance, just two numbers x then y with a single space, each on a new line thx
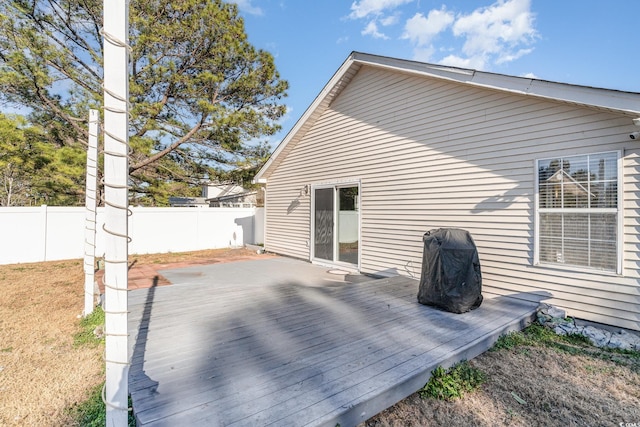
348 225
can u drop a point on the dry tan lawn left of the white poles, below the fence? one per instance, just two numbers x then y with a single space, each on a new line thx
43 373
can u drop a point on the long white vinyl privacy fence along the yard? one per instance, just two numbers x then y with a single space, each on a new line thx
45 233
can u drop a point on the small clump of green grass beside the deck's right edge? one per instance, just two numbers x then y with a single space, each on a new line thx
454 383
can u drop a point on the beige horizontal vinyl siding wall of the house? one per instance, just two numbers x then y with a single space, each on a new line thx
429 154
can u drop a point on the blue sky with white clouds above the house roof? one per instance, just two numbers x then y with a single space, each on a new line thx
585 42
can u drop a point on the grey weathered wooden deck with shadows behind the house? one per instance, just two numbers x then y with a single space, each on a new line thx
283 342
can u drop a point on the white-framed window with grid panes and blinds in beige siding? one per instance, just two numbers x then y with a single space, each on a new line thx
578 211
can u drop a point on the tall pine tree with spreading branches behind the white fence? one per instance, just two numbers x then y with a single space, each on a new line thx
200 93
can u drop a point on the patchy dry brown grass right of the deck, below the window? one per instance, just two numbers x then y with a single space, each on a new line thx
562 383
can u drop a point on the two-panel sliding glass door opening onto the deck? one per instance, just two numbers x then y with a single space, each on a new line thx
336 223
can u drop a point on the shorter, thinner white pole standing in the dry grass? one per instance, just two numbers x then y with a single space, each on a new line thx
90 213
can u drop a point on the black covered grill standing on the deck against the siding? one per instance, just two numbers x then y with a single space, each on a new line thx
451 278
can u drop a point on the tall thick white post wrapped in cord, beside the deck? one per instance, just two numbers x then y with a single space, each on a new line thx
116 176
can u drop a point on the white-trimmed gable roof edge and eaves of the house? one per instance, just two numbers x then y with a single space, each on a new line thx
627 103
